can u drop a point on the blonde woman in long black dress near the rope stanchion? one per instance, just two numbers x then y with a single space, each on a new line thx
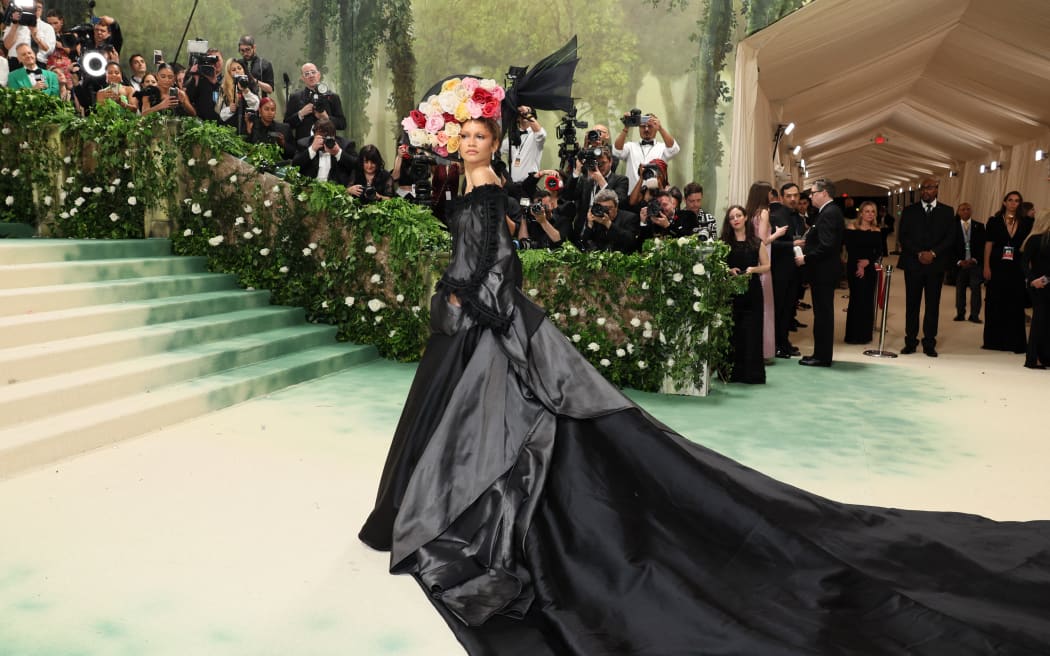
864 240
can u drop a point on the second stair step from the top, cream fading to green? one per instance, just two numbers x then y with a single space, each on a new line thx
46 274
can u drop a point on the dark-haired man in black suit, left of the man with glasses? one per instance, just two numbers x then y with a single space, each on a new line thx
784 269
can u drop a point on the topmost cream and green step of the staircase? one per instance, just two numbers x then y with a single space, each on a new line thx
43 250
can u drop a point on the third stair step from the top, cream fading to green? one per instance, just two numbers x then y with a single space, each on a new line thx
65 297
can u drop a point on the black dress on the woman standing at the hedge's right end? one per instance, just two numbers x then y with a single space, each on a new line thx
749 312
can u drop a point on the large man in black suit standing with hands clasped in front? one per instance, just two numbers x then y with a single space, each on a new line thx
928 236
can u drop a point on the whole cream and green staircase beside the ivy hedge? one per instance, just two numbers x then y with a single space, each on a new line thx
102 341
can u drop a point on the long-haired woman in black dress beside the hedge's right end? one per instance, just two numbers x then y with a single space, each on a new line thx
747 258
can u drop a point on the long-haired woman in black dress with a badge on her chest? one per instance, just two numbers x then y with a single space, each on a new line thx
1005 293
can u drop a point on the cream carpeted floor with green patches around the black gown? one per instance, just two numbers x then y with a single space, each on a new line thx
235 535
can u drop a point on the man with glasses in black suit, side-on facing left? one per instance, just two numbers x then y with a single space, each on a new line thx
821 256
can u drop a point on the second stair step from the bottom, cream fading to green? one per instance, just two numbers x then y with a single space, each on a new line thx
24 401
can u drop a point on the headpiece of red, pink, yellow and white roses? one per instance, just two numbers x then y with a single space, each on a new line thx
436 125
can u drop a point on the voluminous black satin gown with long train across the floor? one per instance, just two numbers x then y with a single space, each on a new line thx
545 515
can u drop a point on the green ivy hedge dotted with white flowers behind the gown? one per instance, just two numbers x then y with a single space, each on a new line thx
648 322
